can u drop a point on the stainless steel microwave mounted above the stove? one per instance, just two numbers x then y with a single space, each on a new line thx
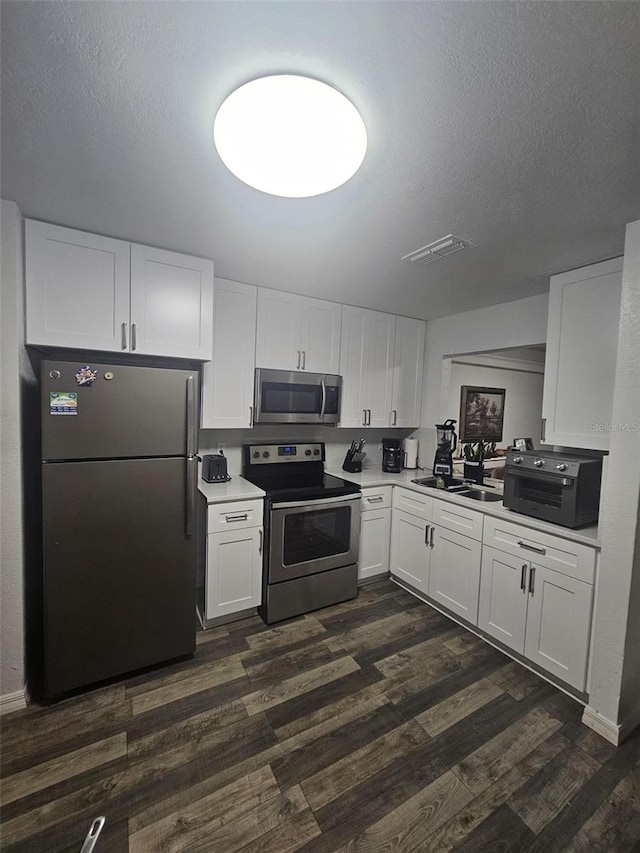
296 397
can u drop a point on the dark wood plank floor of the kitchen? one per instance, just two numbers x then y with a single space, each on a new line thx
374 725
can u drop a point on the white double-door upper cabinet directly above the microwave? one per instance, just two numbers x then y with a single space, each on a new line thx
297 332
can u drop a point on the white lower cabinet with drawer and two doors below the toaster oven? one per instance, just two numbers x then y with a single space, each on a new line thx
536 598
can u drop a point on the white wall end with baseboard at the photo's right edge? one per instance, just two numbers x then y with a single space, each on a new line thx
614 693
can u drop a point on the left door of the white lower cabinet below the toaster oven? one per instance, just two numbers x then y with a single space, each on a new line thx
502 611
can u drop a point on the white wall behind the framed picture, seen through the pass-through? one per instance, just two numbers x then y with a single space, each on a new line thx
523 395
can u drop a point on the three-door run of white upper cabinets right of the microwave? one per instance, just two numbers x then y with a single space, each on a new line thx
381 362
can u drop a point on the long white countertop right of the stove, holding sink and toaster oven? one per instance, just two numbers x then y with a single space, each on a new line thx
375 477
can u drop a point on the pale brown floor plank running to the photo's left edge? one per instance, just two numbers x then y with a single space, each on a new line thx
71 764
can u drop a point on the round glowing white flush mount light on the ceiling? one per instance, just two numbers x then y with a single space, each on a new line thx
290 136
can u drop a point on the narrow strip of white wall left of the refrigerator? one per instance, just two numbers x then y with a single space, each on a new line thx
11 540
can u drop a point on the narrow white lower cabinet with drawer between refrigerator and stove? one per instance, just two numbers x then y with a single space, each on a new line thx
233 575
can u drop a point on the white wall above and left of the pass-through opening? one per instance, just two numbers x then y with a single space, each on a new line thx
510 324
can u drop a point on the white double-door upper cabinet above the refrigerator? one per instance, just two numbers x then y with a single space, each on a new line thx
91 292
